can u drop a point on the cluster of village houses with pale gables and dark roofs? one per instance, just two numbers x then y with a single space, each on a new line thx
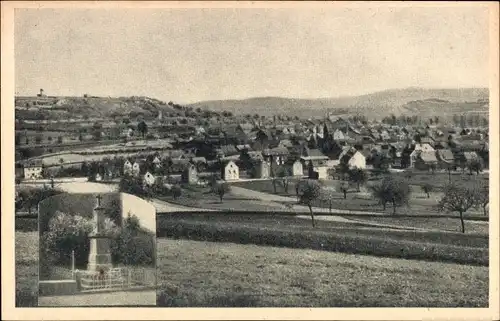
302 149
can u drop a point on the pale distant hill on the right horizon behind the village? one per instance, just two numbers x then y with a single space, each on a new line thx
418 101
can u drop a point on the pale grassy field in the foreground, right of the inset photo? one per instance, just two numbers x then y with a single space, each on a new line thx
201 274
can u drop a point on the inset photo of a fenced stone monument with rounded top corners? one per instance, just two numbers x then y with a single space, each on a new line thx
97 250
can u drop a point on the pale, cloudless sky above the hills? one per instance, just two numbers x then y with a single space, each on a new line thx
190 55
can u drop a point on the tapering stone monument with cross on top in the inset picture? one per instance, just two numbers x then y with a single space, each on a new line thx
100 251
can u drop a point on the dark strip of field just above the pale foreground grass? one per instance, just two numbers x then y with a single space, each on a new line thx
293 232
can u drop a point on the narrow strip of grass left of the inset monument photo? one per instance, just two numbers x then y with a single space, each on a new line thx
26 269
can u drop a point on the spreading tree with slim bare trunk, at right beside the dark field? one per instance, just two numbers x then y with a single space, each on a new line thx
459 199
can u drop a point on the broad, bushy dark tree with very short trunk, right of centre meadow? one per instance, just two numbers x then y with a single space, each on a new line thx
391 190
